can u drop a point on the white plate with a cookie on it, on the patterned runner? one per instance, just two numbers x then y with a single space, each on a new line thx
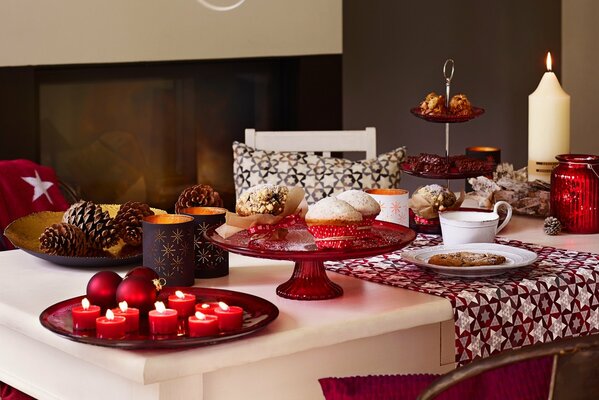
515 258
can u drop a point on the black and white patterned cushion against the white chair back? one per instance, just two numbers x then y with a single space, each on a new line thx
319 176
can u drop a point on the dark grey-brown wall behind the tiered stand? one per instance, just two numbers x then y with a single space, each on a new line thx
393 54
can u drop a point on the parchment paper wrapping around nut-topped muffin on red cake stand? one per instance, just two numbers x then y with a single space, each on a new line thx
295 204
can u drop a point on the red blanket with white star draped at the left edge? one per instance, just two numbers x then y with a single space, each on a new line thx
27 187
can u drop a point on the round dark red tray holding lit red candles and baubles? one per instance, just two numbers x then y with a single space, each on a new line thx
258 313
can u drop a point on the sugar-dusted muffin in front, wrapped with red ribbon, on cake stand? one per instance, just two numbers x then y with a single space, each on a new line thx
333 223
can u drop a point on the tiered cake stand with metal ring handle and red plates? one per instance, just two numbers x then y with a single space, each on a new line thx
447 119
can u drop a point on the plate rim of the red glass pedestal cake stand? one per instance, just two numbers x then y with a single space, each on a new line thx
320 254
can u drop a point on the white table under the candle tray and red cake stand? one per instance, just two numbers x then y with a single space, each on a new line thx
371 329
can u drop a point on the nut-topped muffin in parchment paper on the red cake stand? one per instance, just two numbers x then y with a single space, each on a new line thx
262 199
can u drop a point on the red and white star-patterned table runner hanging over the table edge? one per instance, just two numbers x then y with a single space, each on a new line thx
556 297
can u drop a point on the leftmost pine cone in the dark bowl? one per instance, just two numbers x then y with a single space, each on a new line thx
63 240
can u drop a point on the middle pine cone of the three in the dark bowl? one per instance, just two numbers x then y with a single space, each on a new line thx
95 223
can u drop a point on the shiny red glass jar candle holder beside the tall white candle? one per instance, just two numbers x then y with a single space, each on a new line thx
575 192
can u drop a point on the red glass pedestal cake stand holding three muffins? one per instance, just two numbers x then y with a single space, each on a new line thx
309 280
